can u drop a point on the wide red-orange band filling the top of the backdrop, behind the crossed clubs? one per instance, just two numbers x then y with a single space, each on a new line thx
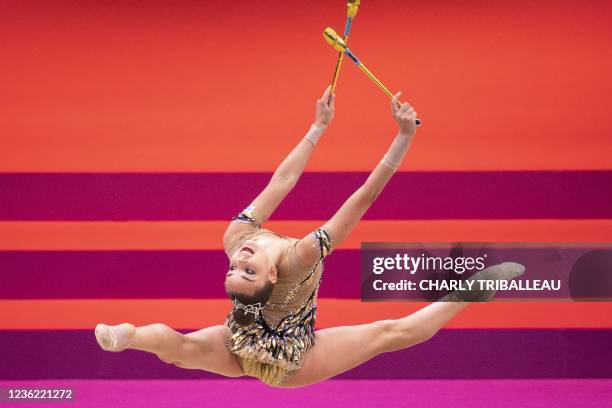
218 85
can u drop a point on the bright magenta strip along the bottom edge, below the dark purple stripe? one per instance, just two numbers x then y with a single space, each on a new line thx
238 393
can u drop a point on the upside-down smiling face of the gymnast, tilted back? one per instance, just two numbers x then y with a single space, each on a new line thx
249 270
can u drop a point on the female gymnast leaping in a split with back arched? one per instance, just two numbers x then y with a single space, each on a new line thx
273 281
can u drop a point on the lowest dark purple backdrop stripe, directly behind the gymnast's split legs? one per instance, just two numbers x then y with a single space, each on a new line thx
460 354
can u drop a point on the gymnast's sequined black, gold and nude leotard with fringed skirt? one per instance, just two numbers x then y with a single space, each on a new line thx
272 348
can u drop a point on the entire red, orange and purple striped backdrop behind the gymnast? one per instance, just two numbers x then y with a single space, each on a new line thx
130 133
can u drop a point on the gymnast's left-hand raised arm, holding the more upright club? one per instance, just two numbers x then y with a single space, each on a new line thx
289 171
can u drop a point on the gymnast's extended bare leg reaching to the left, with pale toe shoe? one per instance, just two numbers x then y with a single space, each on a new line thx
201 350
